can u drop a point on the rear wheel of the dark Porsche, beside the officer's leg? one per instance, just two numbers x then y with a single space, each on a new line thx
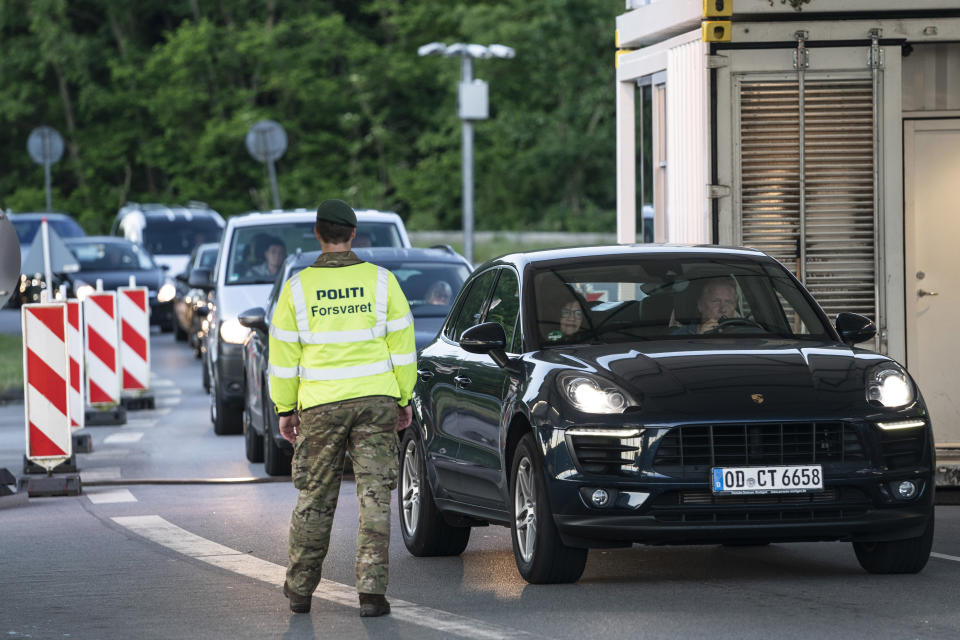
424 530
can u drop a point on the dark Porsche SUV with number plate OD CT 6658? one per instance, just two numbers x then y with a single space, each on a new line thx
635 428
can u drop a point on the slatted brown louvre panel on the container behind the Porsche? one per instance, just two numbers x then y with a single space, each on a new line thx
829 217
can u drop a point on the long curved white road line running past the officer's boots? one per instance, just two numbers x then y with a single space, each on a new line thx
160 531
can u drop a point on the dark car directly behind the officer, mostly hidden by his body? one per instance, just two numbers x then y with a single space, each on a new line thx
421 273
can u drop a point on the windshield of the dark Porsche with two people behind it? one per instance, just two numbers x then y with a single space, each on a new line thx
670 298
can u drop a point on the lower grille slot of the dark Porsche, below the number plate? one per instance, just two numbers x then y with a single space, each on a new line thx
834 503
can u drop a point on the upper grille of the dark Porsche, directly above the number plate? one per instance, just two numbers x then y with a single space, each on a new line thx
693 448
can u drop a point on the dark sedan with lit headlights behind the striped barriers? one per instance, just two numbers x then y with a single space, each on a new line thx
113 260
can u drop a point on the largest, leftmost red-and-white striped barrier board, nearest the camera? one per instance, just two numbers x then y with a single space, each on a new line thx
46 367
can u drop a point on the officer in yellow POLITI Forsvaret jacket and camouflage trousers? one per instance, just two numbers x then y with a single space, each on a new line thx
342 368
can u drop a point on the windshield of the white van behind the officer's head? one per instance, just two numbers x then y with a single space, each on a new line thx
257 252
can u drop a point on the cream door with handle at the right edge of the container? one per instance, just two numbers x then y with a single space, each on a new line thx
932 228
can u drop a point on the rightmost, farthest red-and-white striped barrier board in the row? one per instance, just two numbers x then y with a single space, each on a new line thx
134 338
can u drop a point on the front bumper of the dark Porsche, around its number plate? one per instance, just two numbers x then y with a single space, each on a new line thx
653 505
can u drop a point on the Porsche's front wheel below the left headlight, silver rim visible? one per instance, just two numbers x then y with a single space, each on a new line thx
541 556
